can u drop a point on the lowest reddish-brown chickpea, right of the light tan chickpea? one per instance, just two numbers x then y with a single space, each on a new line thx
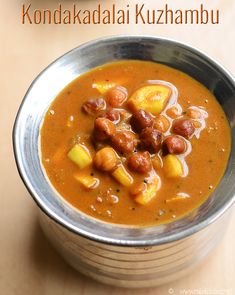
140 162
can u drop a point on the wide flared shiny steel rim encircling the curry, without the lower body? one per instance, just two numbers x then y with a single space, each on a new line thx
54 78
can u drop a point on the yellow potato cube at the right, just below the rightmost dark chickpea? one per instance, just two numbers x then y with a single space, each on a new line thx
172 166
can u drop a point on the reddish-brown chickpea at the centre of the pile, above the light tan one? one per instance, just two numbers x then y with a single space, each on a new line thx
124 142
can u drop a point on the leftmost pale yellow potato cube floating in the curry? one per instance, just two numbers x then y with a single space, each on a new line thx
80 155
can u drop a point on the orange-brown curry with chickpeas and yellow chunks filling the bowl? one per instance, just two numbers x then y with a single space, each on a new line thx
135 143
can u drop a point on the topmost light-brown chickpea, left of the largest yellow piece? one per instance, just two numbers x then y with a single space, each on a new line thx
116 96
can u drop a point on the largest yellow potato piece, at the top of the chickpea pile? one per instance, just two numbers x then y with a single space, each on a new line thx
151 98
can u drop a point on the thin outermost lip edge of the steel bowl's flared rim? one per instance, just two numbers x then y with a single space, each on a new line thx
75 229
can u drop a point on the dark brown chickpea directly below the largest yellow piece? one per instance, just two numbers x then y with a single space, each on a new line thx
140 120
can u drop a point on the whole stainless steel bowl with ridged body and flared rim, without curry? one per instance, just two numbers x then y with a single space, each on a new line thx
121 255
